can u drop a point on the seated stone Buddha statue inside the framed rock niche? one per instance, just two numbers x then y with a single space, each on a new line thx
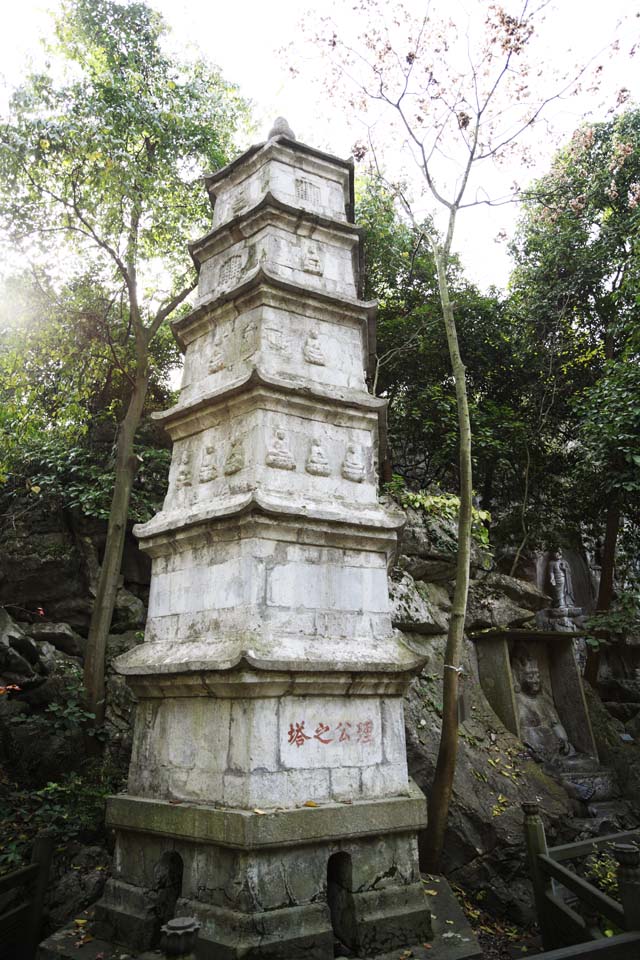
540 727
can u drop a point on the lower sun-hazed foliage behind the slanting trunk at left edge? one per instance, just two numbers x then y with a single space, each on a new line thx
64 358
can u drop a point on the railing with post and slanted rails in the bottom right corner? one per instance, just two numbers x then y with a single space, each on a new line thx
569 932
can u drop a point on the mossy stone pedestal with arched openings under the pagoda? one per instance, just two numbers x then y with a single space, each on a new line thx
281 885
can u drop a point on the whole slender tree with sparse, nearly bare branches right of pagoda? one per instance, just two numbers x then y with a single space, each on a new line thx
459 104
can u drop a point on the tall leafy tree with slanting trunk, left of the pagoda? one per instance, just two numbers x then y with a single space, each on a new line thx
101 163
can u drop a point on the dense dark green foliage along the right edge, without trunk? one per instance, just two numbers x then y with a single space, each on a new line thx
574 301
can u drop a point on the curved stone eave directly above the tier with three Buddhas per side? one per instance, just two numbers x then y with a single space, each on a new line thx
255 377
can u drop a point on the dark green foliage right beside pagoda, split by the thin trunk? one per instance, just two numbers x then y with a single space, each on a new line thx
413 370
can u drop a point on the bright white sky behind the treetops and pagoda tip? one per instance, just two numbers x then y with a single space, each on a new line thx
244 37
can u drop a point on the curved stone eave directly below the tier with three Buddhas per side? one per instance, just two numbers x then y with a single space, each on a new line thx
360 519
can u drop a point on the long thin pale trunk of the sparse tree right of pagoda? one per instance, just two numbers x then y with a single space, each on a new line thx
441 789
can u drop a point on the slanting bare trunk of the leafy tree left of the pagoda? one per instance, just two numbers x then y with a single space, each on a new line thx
126 467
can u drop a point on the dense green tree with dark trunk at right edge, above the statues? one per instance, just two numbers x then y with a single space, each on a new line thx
577 271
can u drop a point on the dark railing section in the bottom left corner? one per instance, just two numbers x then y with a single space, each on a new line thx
21 920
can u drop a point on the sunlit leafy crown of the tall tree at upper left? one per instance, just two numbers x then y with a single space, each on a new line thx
113 136
